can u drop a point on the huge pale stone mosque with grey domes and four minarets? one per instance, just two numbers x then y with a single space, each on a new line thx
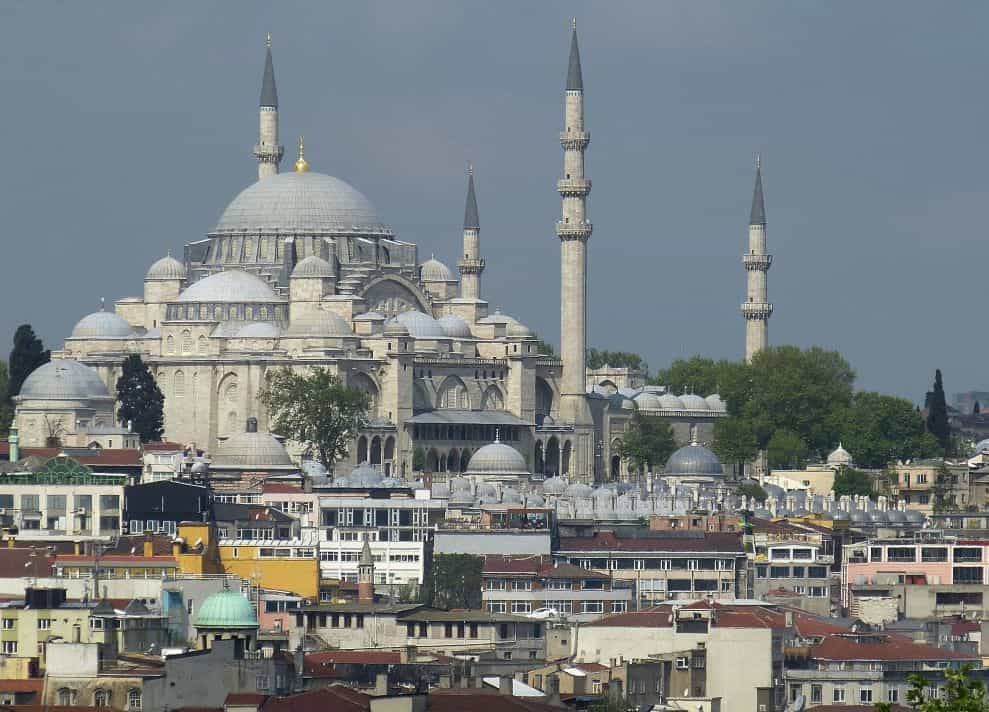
301 271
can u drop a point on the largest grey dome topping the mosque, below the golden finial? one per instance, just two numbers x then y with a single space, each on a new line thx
308 203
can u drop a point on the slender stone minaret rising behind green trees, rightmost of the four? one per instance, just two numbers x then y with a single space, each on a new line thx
756 308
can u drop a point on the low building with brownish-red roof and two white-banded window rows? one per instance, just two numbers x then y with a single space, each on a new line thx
520 585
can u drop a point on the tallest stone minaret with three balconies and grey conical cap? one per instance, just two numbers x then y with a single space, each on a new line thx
574 229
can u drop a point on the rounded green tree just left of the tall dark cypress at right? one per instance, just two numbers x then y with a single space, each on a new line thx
878 429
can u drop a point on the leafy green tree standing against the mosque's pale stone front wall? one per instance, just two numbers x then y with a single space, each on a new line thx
315 410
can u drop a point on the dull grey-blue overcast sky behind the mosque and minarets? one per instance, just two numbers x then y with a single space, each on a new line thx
127 127
